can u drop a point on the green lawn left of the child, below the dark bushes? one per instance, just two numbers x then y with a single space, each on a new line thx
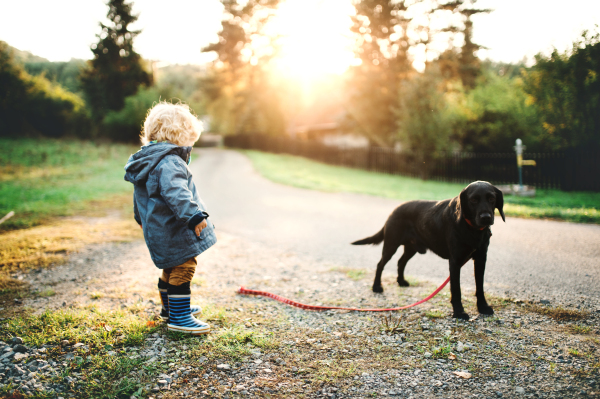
44 178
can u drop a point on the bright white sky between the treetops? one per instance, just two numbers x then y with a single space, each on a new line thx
175 31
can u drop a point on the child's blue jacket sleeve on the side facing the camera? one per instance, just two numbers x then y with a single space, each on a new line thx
174 189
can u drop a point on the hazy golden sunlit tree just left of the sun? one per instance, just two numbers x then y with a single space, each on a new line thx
241 97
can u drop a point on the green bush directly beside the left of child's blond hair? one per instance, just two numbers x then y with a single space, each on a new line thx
126 124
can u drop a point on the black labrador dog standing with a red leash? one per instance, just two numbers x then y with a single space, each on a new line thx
457 229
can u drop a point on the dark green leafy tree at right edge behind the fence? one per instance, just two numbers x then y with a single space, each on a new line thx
566 89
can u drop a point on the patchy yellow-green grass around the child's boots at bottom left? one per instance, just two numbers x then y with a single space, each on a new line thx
109 365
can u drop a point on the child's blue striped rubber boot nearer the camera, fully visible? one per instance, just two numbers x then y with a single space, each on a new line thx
180 316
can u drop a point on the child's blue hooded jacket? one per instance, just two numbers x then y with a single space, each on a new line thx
167 205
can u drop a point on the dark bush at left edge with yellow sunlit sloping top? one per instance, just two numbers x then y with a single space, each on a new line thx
33 104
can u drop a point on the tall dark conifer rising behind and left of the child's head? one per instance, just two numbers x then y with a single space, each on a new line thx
116 71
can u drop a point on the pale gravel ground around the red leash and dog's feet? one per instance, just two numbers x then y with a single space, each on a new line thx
421 352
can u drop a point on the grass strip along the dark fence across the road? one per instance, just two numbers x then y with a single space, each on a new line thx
581 207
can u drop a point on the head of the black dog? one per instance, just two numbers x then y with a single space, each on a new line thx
478 201
